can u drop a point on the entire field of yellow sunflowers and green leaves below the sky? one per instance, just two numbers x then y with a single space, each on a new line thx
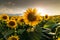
29 26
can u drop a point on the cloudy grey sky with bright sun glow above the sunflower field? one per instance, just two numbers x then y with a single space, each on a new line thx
50 7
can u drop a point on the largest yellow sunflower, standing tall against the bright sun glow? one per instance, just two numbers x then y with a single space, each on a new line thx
30 17
